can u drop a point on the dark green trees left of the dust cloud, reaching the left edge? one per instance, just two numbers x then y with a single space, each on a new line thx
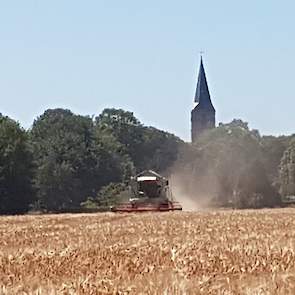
65 161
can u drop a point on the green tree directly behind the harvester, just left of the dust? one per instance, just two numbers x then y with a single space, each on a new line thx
146 147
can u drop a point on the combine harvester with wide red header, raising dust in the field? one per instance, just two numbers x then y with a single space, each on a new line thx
150 192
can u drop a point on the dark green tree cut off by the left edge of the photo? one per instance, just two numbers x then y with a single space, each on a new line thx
16 168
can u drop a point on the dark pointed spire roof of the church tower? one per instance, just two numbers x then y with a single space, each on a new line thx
202 92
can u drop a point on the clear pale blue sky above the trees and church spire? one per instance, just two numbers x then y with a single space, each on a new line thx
143 56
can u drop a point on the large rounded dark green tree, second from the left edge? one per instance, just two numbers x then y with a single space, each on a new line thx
72 161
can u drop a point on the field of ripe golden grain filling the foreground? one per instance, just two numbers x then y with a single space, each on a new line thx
221 252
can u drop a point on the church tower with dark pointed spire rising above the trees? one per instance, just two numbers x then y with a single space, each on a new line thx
203 115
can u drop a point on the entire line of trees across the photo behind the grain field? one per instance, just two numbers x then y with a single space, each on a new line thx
67 161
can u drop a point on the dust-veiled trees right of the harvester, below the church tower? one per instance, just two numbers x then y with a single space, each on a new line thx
234 166
